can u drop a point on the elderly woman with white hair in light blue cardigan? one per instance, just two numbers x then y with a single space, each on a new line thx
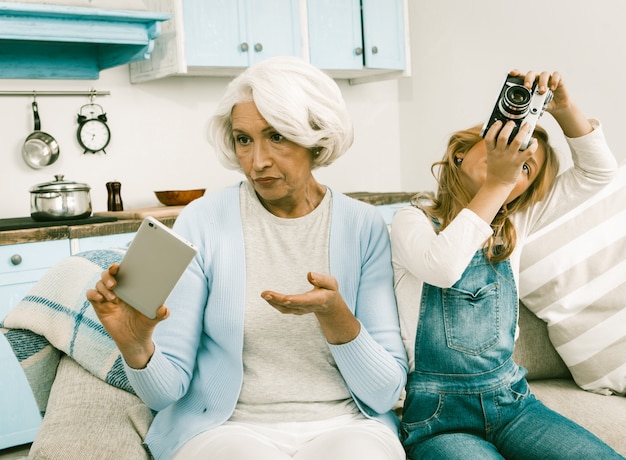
281 340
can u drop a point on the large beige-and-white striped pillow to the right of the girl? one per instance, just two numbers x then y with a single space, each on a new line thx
573 276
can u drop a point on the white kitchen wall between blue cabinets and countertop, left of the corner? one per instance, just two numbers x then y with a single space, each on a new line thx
159 139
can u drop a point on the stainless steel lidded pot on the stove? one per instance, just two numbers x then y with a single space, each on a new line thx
60 200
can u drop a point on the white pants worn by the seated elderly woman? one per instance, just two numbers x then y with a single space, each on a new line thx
341 438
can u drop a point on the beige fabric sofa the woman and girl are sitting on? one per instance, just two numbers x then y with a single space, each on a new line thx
88 418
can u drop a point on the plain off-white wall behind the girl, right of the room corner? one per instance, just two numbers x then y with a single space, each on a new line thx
462 50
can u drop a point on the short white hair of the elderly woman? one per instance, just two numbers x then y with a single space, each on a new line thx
297 99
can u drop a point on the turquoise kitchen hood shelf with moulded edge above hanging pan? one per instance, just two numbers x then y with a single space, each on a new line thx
66 42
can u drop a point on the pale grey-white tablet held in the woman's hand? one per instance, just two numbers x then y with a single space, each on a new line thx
152 265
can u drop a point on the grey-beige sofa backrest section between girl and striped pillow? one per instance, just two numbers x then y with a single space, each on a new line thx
534 351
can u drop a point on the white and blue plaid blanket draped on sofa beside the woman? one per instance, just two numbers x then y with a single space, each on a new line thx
55 317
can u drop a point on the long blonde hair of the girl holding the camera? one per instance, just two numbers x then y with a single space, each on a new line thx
452 197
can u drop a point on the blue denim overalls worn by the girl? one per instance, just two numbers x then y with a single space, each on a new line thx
467 399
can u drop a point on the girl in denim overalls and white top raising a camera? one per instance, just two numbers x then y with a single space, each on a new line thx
456 263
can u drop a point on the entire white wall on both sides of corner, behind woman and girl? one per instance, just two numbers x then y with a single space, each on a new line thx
461 52
